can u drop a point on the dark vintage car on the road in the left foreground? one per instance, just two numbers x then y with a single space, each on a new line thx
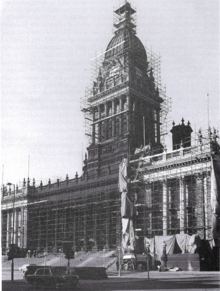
57 278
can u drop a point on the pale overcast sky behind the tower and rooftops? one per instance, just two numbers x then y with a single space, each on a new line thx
46 49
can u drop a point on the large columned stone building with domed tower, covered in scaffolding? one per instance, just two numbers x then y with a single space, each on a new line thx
125 113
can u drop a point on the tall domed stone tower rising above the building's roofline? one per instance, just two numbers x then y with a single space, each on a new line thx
123 106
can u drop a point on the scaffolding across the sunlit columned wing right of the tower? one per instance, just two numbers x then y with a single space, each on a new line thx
172 191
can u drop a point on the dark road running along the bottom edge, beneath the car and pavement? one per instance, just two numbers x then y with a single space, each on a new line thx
158 281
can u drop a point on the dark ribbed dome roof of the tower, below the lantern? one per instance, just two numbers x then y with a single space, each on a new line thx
125 39
